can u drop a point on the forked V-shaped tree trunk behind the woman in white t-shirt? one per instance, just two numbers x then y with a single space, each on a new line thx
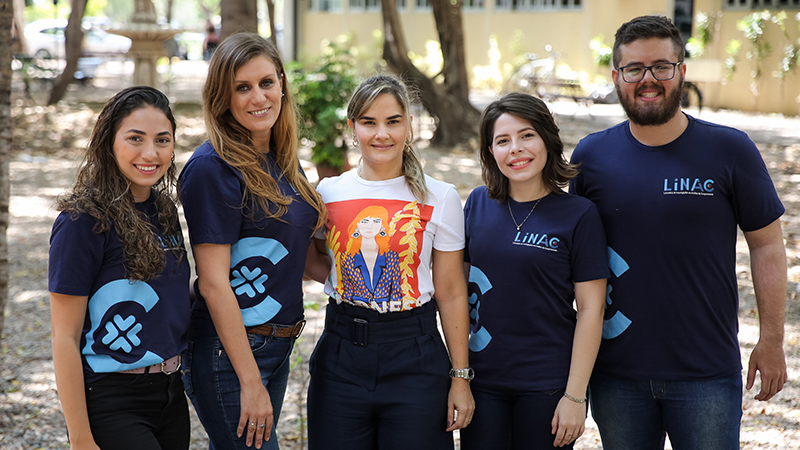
448 101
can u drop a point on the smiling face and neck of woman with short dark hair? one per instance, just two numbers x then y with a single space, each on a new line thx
520 154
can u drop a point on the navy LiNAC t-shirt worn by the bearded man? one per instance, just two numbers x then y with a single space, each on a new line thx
671 215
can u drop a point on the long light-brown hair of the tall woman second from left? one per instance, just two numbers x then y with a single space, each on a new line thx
234 143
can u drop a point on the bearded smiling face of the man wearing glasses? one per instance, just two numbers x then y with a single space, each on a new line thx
650 102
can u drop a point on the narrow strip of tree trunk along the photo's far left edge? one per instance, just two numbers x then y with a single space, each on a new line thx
6 19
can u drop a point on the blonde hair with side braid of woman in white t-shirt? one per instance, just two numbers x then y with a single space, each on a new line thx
363 97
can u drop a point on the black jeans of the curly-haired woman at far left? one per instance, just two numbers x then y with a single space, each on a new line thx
135 412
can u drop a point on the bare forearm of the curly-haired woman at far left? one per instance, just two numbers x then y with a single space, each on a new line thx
71 390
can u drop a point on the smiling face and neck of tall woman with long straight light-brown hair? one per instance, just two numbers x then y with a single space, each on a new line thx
256 99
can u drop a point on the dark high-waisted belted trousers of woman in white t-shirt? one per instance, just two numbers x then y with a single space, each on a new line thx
379 381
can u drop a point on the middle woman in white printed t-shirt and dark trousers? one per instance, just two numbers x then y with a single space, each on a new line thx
381 376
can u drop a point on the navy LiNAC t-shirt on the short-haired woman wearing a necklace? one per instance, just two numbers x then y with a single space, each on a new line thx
521 286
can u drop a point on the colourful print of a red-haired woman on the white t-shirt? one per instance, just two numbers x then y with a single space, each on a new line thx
375 246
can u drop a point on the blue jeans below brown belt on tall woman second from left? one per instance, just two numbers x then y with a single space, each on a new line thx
212 385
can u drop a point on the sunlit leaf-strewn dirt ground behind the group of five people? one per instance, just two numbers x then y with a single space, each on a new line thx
46 154
